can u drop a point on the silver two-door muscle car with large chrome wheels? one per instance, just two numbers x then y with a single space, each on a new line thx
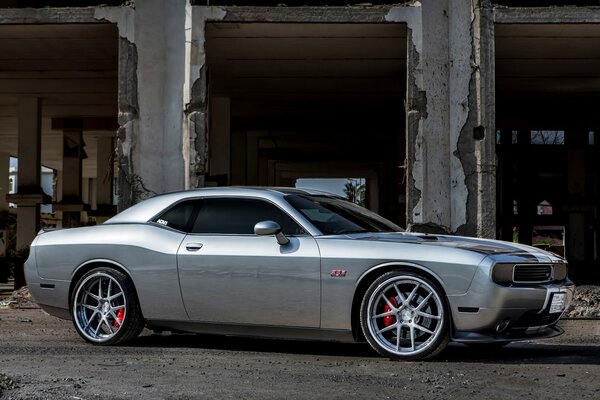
297 264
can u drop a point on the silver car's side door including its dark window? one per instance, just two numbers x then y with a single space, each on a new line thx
230 275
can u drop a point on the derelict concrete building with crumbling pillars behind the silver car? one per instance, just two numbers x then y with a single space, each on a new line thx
469 116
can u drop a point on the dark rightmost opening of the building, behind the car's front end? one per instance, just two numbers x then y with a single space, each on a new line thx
548 88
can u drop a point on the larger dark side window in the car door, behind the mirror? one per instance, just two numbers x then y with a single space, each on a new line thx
238 216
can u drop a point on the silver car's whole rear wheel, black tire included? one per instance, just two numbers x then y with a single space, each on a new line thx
105 308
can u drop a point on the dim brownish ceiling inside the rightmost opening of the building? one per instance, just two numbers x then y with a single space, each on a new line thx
544 58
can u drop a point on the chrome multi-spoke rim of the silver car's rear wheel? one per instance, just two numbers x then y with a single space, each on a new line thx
100 307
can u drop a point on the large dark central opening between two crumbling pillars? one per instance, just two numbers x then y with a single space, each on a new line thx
292 101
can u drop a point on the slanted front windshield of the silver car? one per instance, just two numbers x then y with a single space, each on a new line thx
334 216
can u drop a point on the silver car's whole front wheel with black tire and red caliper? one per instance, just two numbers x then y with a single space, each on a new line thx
404 316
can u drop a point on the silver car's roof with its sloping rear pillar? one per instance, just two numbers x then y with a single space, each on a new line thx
149 208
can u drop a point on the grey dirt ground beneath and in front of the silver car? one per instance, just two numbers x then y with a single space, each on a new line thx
42 357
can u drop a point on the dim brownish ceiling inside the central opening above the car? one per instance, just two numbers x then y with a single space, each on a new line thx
314 62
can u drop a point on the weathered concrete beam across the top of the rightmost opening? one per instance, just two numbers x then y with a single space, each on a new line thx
547 15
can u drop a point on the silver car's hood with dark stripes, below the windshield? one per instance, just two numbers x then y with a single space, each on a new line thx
482 246
